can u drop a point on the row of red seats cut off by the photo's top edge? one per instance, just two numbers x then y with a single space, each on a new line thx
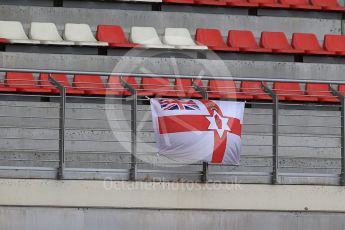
327 5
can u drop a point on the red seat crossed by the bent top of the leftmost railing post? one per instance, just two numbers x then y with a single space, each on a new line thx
61 78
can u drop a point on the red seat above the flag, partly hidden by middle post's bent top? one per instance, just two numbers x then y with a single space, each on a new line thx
184 88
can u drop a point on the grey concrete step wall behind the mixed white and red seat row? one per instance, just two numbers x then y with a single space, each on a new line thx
160 20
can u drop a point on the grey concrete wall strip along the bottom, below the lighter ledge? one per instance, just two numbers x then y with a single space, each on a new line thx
28 218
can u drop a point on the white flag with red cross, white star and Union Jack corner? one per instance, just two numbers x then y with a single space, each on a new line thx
190 130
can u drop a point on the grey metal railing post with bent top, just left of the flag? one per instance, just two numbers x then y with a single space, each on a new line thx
133 168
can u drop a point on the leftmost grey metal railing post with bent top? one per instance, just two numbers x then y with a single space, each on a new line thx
62 118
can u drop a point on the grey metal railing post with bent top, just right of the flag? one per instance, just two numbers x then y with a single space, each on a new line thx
275 133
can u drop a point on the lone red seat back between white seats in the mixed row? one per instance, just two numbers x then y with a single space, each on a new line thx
111 34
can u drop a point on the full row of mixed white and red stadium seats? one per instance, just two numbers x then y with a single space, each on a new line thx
174 38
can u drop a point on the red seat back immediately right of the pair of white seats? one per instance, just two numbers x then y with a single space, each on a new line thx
210 37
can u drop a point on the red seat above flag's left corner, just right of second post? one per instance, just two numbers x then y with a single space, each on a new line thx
156 87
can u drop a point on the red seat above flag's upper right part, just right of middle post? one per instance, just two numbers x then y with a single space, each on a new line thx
225 89
